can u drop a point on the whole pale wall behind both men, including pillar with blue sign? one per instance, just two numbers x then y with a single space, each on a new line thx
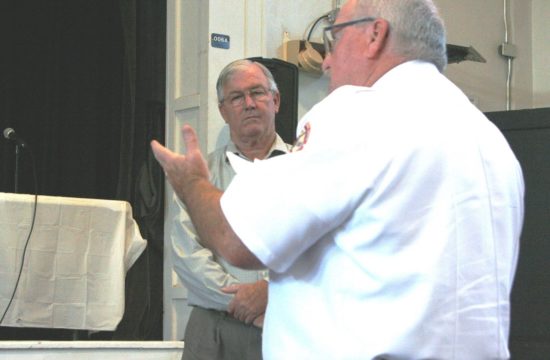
469 23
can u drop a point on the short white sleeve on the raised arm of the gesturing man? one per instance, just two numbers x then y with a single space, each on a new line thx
278 217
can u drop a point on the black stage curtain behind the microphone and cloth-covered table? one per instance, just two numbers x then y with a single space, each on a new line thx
83 82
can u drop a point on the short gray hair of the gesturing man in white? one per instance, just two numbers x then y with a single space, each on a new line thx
416 28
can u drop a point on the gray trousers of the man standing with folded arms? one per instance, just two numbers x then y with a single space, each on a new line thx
214 335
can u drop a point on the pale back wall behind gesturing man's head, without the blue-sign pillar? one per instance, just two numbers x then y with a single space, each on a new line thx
469 22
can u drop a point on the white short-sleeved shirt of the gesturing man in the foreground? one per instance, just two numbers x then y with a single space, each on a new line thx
394 231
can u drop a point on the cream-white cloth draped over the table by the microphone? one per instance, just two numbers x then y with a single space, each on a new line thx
76 261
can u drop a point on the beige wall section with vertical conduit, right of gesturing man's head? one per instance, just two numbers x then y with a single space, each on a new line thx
481 24
